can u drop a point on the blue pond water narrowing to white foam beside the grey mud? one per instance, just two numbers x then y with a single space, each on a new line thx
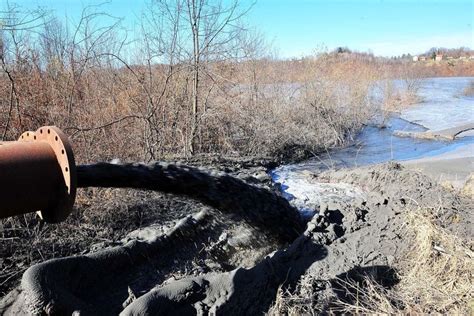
443 106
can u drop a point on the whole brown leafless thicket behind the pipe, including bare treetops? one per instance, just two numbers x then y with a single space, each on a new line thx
232 97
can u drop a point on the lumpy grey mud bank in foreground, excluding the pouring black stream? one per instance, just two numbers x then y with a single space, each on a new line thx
212 261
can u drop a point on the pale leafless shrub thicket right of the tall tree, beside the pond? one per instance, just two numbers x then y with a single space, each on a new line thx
324 109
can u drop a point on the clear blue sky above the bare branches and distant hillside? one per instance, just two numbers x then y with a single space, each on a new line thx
299 27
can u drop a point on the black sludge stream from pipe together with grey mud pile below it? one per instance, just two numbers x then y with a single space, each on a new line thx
238 273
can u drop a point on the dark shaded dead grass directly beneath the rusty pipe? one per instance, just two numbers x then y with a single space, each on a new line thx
101 218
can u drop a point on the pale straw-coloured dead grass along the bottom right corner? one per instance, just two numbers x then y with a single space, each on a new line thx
436 276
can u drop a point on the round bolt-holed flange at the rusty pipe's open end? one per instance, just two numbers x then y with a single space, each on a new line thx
64 155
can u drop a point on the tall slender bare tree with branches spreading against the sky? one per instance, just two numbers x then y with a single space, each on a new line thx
200 33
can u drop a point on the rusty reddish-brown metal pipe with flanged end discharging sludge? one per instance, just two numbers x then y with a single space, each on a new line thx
38 173
